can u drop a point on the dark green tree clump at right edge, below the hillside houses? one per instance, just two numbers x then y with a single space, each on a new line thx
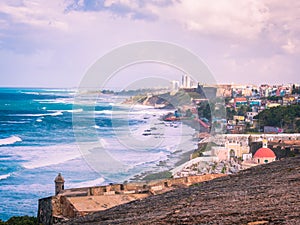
287 117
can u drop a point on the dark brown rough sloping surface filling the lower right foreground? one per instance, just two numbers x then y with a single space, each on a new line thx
266 194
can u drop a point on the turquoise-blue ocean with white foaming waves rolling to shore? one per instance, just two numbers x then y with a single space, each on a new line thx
92 142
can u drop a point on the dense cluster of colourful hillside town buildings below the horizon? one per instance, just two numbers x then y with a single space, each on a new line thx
242 102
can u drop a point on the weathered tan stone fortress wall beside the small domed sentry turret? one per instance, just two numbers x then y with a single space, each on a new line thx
75 202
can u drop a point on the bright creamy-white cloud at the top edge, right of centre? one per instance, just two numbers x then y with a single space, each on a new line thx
244 19
